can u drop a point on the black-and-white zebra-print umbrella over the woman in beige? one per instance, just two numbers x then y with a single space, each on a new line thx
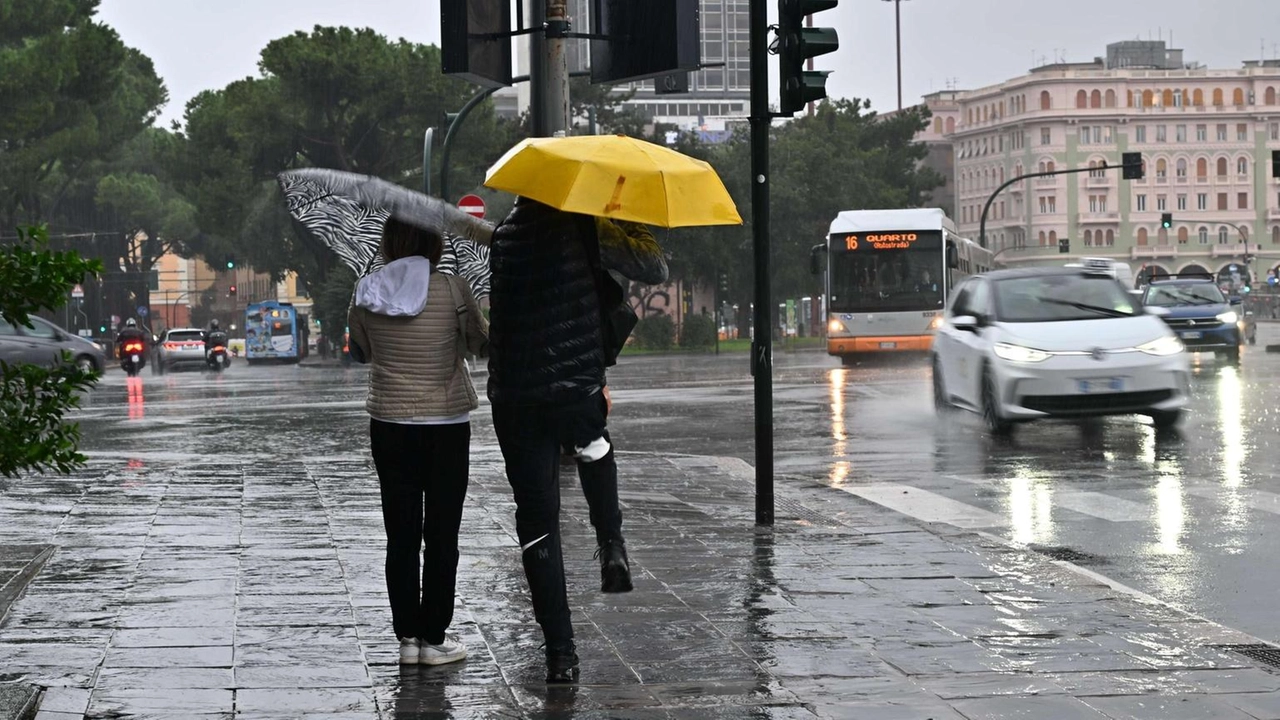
346 212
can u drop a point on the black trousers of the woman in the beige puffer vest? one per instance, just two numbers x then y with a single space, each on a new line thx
423 472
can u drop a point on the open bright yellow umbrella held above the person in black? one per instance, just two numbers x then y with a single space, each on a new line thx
615 176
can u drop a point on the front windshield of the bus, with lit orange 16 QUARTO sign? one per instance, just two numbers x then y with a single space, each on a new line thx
870 276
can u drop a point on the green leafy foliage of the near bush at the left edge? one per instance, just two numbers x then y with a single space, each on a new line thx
33 399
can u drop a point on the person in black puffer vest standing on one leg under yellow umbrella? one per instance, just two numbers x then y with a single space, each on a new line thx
547 377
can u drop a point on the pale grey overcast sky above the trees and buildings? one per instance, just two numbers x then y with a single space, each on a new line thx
207 44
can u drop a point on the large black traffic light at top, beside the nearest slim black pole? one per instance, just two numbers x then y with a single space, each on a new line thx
797 44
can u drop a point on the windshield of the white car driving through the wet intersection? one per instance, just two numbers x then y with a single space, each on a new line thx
1058 298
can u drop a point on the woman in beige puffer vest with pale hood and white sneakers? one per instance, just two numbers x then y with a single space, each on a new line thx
414 327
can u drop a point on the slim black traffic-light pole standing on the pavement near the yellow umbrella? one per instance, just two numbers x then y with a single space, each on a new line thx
762 338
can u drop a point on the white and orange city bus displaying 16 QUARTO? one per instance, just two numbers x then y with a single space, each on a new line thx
889 275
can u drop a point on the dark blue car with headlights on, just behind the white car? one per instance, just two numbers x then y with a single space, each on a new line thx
1205 320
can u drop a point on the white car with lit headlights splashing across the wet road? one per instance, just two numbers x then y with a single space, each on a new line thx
1057 343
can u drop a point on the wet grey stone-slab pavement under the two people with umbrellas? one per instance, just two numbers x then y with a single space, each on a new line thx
232 587
